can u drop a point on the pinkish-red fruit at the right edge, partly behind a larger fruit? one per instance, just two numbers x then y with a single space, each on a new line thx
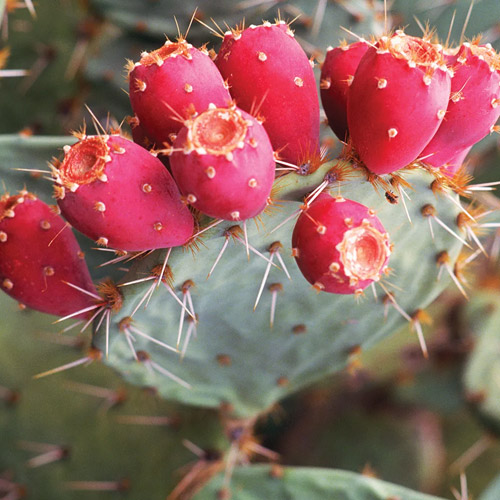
474 105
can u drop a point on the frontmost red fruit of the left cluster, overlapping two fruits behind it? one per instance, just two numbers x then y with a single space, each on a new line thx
223 163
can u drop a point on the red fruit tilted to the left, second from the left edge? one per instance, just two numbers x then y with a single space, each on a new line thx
120 195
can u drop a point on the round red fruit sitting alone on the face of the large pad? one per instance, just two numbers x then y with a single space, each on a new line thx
340 245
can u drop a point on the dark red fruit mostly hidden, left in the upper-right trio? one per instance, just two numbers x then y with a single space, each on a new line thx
337 74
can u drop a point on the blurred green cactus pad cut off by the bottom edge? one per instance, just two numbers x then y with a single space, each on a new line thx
297 483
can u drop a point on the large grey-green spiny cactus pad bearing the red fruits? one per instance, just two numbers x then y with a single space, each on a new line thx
237 358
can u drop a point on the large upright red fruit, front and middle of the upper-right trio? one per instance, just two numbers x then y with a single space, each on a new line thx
397 101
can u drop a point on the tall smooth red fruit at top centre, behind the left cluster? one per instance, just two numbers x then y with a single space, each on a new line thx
267 70
